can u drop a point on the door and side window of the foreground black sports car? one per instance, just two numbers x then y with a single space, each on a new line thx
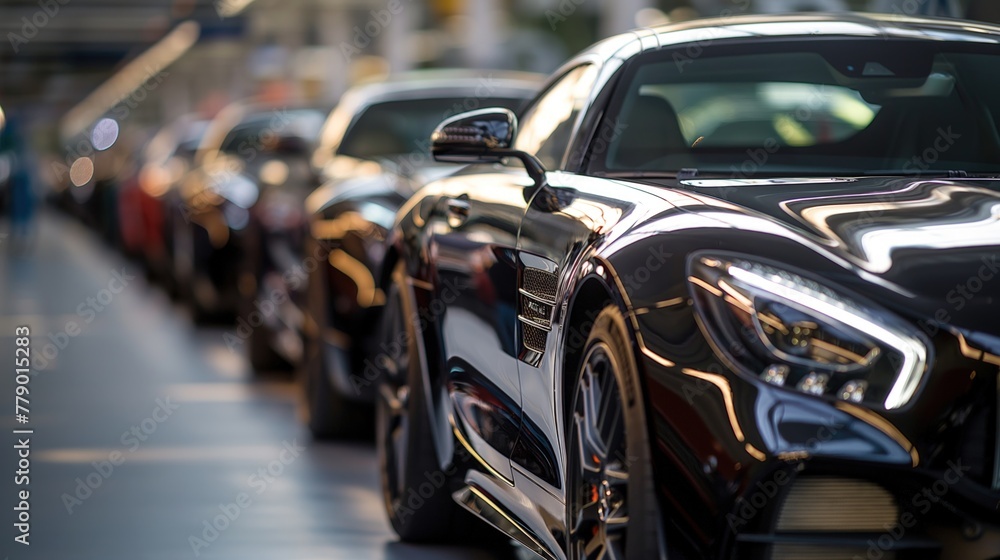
473 241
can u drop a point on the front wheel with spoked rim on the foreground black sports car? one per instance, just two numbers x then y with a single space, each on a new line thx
609 453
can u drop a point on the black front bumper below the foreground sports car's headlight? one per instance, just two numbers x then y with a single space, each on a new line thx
747 470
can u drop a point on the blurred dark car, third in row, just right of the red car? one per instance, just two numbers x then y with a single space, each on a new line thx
246 150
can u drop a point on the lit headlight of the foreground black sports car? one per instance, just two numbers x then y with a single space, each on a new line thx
794 332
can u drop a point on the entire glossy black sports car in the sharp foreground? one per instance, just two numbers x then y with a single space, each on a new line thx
738 303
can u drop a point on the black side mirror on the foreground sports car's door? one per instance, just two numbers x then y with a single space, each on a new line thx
483 136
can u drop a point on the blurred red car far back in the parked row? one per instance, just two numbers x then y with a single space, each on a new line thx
148 197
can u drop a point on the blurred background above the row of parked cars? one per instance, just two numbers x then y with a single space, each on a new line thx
64 64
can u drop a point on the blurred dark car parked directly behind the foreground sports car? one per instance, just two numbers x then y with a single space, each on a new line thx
375 152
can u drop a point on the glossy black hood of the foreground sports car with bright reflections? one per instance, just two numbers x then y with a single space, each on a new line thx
936 242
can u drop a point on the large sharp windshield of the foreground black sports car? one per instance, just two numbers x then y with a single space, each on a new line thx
819 107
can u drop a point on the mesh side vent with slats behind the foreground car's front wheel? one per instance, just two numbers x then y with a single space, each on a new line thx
537 303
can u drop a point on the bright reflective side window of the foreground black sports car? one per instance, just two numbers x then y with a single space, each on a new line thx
548 124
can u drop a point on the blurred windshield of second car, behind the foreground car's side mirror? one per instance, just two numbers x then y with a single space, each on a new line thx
394 128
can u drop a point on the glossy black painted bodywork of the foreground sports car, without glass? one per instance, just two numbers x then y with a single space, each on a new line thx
906 244
